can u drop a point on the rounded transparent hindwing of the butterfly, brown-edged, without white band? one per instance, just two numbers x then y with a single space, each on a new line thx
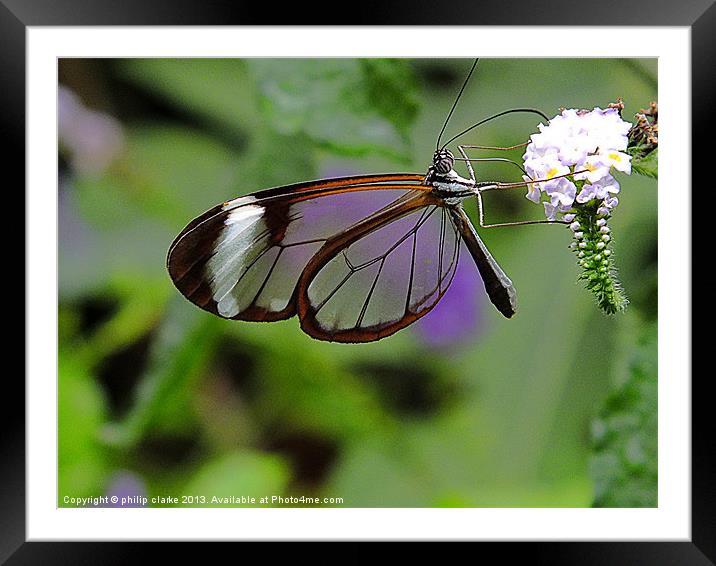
381 275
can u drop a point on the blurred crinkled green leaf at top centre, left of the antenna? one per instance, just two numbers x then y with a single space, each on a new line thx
333 103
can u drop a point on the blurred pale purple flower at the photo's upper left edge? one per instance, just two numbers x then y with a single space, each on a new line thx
92 139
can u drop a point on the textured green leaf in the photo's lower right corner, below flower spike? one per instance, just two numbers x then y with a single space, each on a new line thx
624 461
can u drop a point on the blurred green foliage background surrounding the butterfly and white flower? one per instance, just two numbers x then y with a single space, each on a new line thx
190 404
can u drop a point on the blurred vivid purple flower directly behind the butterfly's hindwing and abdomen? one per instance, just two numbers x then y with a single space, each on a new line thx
456 319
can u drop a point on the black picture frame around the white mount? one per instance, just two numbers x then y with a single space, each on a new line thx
17 15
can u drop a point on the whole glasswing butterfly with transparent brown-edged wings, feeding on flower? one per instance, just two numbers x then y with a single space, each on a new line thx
356 258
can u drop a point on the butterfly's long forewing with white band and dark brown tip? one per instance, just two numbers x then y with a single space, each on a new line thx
242 259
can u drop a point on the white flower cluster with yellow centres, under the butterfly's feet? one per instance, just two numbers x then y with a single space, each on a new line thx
577 145
